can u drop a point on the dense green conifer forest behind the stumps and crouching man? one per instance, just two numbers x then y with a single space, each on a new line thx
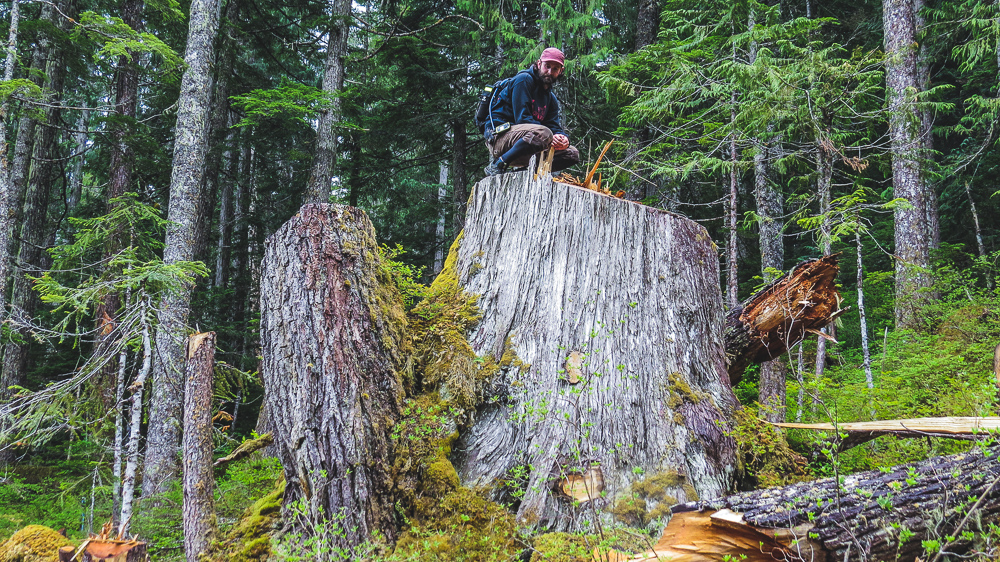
131 211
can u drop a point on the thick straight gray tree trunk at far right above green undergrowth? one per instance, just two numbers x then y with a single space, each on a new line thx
912 233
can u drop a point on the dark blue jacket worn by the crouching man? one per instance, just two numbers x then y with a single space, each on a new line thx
525 100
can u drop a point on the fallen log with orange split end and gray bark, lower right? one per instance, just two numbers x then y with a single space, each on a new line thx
938 506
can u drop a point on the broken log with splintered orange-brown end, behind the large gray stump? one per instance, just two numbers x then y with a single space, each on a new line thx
779 315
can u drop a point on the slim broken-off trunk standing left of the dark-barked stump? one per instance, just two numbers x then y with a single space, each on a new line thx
199 481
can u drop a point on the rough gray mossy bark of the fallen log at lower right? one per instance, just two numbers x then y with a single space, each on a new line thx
865 517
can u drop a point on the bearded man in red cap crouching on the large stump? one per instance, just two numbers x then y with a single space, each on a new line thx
524 119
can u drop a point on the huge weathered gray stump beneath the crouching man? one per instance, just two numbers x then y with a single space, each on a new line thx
630 295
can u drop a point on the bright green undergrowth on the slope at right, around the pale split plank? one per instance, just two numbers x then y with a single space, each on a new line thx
944 369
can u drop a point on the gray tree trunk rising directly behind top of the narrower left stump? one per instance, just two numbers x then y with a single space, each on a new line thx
318 190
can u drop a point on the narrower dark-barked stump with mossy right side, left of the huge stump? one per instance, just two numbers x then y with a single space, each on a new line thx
334 346
